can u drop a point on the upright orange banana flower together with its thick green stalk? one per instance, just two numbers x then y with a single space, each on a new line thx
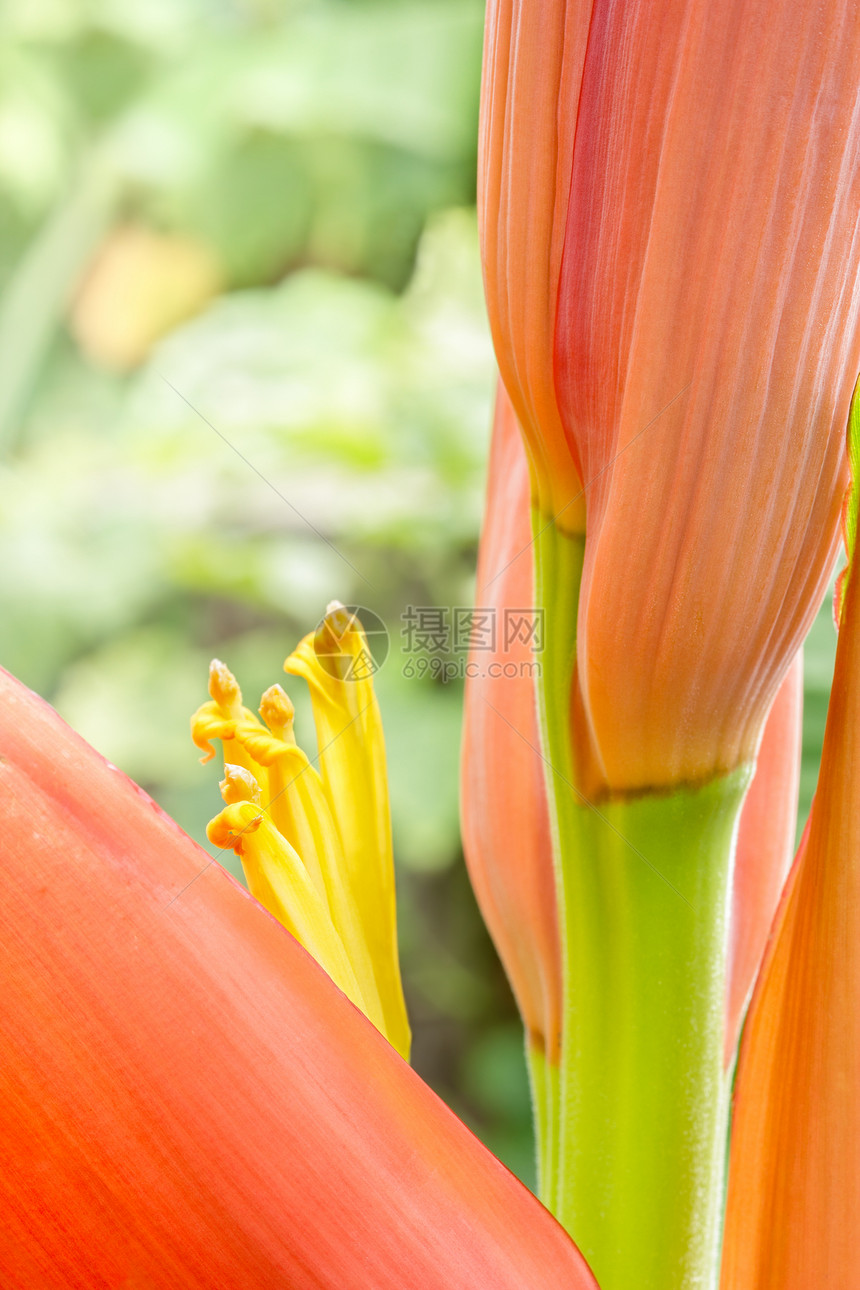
669 203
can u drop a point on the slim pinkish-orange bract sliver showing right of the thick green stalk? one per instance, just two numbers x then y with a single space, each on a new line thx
765 844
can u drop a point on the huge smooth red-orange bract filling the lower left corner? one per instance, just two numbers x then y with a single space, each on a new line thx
188 1100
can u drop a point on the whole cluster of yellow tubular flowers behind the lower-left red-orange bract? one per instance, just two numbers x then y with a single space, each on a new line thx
315 848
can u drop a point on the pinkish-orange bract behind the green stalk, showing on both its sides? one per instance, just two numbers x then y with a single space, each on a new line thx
506 826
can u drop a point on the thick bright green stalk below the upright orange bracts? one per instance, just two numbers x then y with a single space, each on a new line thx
644 898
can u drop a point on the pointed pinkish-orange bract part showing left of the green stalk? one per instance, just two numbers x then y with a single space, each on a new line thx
506 820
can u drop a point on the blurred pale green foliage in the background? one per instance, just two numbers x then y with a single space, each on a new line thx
306 417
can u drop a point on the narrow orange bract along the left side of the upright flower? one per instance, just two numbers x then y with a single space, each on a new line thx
524 172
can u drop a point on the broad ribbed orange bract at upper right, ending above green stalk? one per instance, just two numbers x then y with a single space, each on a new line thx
706 348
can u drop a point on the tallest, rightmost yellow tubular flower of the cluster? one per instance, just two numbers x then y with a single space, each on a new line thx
353 767
